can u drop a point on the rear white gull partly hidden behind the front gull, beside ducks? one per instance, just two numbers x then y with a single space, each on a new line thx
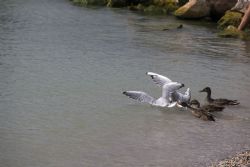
176 96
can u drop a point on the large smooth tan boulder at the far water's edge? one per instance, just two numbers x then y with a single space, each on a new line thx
194 9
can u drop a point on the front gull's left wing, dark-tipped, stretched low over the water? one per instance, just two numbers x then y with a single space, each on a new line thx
140 96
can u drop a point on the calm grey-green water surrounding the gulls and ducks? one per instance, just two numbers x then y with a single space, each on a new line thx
63 69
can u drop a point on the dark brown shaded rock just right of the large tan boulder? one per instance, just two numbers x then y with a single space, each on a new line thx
219 7
